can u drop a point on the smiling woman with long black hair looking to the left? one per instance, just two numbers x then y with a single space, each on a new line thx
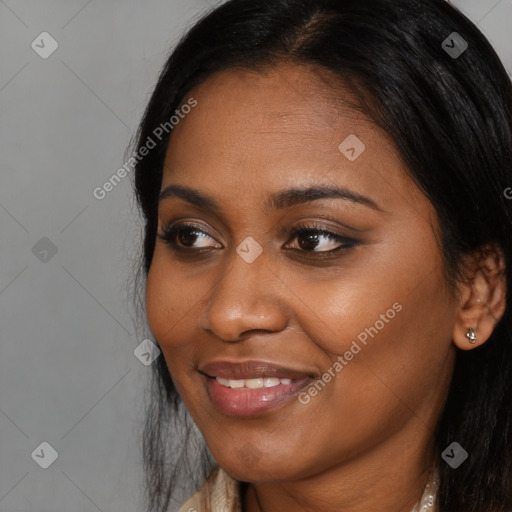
327 251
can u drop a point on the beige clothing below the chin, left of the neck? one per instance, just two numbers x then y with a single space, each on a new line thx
219 493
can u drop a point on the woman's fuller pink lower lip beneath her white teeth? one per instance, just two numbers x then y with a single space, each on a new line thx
252 402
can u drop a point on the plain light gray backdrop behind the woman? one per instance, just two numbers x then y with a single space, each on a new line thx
68 374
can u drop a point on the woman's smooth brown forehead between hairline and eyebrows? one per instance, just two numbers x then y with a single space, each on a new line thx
253 131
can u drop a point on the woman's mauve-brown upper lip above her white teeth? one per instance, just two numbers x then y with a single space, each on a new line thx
251 370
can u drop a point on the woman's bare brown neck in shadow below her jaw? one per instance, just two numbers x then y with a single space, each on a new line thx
391 478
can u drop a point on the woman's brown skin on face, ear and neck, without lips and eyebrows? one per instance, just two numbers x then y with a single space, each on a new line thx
365 442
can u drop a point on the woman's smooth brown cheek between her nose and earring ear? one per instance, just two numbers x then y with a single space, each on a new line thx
390 320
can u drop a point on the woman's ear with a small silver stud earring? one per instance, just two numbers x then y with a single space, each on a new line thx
482 296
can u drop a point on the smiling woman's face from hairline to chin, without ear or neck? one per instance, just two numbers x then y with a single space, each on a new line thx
361 317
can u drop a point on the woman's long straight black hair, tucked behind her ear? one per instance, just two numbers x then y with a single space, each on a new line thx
450 116
